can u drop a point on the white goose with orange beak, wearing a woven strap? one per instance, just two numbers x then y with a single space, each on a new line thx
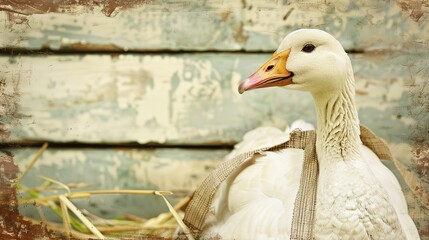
357 197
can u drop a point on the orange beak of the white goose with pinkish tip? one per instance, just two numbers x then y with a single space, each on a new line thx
272 73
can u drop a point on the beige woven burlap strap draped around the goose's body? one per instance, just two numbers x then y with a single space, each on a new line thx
303 218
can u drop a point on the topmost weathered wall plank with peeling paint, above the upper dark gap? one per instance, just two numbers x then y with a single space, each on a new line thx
212 25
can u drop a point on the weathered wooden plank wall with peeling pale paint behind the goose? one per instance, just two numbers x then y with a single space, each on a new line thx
166 72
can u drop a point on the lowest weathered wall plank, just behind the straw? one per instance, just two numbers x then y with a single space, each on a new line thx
177 170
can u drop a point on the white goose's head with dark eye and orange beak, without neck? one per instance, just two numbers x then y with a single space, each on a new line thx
307 60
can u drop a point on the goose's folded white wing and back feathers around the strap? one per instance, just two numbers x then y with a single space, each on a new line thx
258 199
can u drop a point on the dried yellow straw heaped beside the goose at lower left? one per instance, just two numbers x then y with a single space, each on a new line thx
164 225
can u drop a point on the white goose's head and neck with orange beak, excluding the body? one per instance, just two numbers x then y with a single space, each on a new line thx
314 61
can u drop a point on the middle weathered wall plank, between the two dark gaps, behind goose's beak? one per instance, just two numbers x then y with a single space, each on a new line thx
186 98
